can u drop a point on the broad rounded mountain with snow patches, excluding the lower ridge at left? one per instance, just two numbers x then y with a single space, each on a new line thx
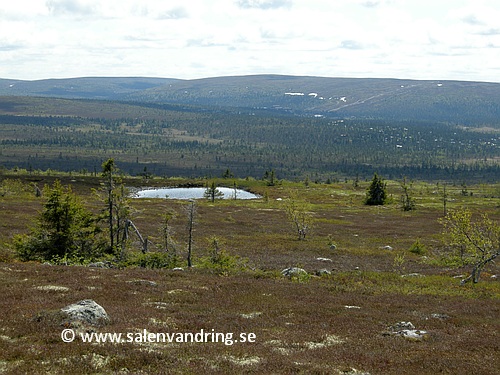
468 103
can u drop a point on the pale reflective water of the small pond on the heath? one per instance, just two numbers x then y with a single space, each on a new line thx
191 193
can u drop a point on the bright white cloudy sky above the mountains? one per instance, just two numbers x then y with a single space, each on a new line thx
419 39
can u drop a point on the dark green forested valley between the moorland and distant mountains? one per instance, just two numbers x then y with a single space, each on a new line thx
78 135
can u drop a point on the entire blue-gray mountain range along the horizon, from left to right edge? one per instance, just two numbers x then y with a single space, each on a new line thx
459 102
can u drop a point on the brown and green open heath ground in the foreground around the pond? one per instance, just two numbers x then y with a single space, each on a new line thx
364 276
